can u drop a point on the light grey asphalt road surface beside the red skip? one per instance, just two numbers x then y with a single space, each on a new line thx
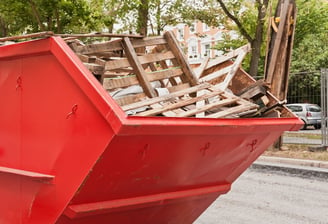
266 198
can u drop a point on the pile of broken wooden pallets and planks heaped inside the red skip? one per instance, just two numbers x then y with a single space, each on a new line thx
151 77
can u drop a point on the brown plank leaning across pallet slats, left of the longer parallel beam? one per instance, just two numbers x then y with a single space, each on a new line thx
140 72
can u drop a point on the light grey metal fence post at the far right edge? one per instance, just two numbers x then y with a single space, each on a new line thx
324 109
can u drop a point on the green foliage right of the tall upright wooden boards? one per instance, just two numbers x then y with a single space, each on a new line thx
311 38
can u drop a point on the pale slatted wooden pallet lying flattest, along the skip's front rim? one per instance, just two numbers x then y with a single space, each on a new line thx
183 104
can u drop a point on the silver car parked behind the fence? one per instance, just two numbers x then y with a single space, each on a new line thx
309 113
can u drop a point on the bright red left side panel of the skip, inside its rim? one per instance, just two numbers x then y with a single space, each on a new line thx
49 129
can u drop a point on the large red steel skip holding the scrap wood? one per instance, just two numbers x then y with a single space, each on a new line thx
69 154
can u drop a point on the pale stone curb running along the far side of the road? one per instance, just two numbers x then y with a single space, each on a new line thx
295 167
